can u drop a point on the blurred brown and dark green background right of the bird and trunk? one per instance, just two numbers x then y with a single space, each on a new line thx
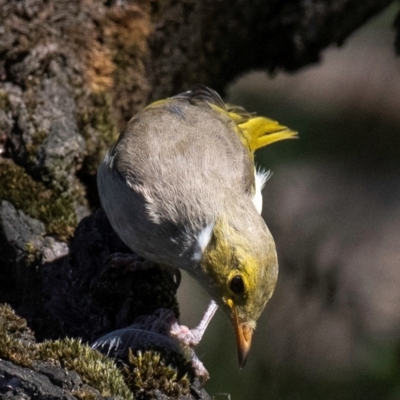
332 328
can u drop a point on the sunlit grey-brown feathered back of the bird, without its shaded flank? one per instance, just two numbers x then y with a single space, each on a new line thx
185 160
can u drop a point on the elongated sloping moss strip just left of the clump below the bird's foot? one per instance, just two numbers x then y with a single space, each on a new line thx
93 367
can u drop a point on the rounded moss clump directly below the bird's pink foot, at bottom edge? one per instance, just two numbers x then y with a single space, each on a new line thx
152 371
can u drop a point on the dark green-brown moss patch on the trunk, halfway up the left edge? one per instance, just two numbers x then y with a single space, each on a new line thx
55 208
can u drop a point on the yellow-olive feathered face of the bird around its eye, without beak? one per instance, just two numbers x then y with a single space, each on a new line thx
236 273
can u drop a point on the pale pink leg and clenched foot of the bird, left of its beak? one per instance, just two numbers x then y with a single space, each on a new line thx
192 337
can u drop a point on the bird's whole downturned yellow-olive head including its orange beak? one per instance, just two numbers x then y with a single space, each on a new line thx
240 269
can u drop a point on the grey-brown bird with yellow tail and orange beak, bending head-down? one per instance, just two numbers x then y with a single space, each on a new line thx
180 187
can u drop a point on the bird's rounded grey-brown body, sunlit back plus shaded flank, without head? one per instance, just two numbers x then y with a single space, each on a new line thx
169 176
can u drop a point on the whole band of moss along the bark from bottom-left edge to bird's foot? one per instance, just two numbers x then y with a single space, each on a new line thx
144 374
